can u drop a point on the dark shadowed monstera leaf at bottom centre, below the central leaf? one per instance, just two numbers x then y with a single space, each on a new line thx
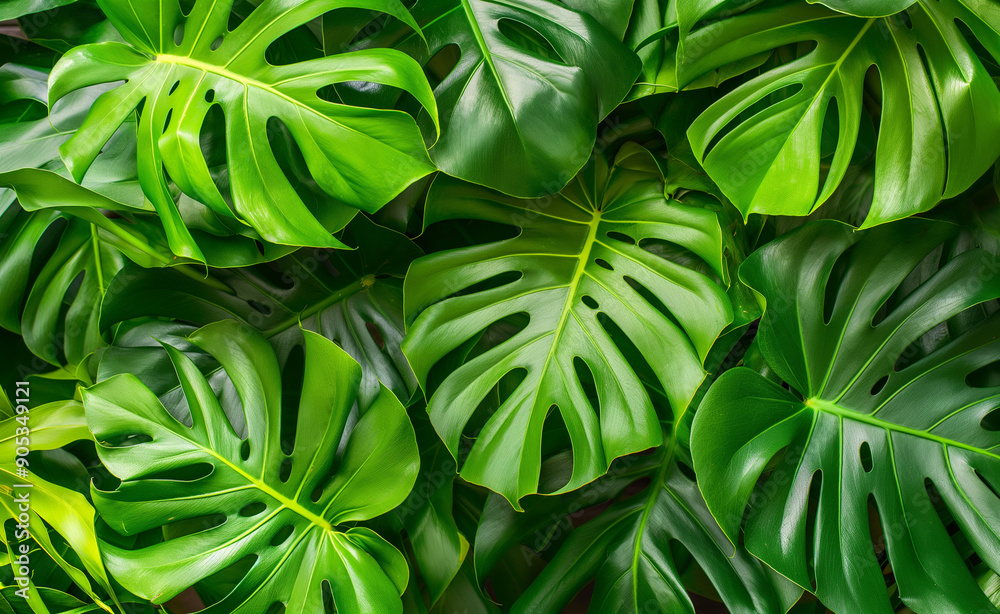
627 549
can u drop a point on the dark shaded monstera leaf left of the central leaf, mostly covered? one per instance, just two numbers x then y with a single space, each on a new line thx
354 298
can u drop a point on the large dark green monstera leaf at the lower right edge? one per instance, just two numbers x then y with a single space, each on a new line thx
888 345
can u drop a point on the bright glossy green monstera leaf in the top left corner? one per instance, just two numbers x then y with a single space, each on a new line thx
178 66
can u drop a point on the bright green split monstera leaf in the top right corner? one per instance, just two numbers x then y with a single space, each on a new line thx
766 143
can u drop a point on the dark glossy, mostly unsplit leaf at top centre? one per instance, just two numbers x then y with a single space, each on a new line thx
520 108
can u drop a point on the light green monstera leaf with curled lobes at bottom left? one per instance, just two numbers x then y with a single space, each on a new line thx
289 494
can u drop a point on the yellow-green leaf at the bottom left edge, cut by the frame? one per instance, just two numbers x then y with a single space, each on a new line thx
66 511
